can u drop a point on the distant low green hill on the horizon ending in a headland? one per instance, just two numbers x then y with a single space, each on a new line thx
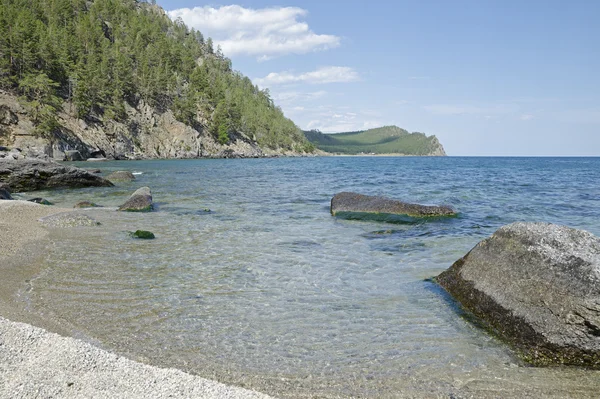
383 140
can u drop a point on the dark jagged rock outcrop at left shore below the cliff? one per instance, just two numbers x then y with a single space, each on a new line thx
34 174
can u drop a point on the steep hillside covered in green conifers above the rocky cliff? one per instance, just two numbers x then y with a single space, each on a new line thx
94 59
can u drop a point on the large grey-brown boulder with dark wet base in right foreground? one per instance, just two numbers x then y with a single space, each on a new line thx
538 286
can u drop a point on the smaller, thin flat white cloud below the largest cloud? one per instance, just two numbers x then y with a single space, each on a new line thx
331 74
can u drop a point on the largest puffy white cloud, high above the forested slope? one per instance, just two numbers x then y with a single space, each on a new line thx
263 33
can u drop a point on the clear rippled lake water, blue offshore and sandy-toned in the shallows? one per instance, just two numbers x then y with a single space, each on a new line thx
251 281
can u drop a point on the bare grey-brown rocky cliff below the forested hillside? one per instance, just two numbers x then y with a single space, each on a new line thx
145 133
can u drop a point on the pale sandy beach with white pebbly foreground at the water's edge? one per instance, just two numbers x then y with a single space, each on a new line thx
35 362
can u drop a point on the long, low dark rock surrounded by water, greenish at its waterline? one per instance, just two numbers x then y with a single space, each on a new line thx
349 204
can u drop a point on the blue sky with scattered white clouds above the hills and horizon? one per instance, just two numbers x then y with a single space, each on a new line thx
488 78
